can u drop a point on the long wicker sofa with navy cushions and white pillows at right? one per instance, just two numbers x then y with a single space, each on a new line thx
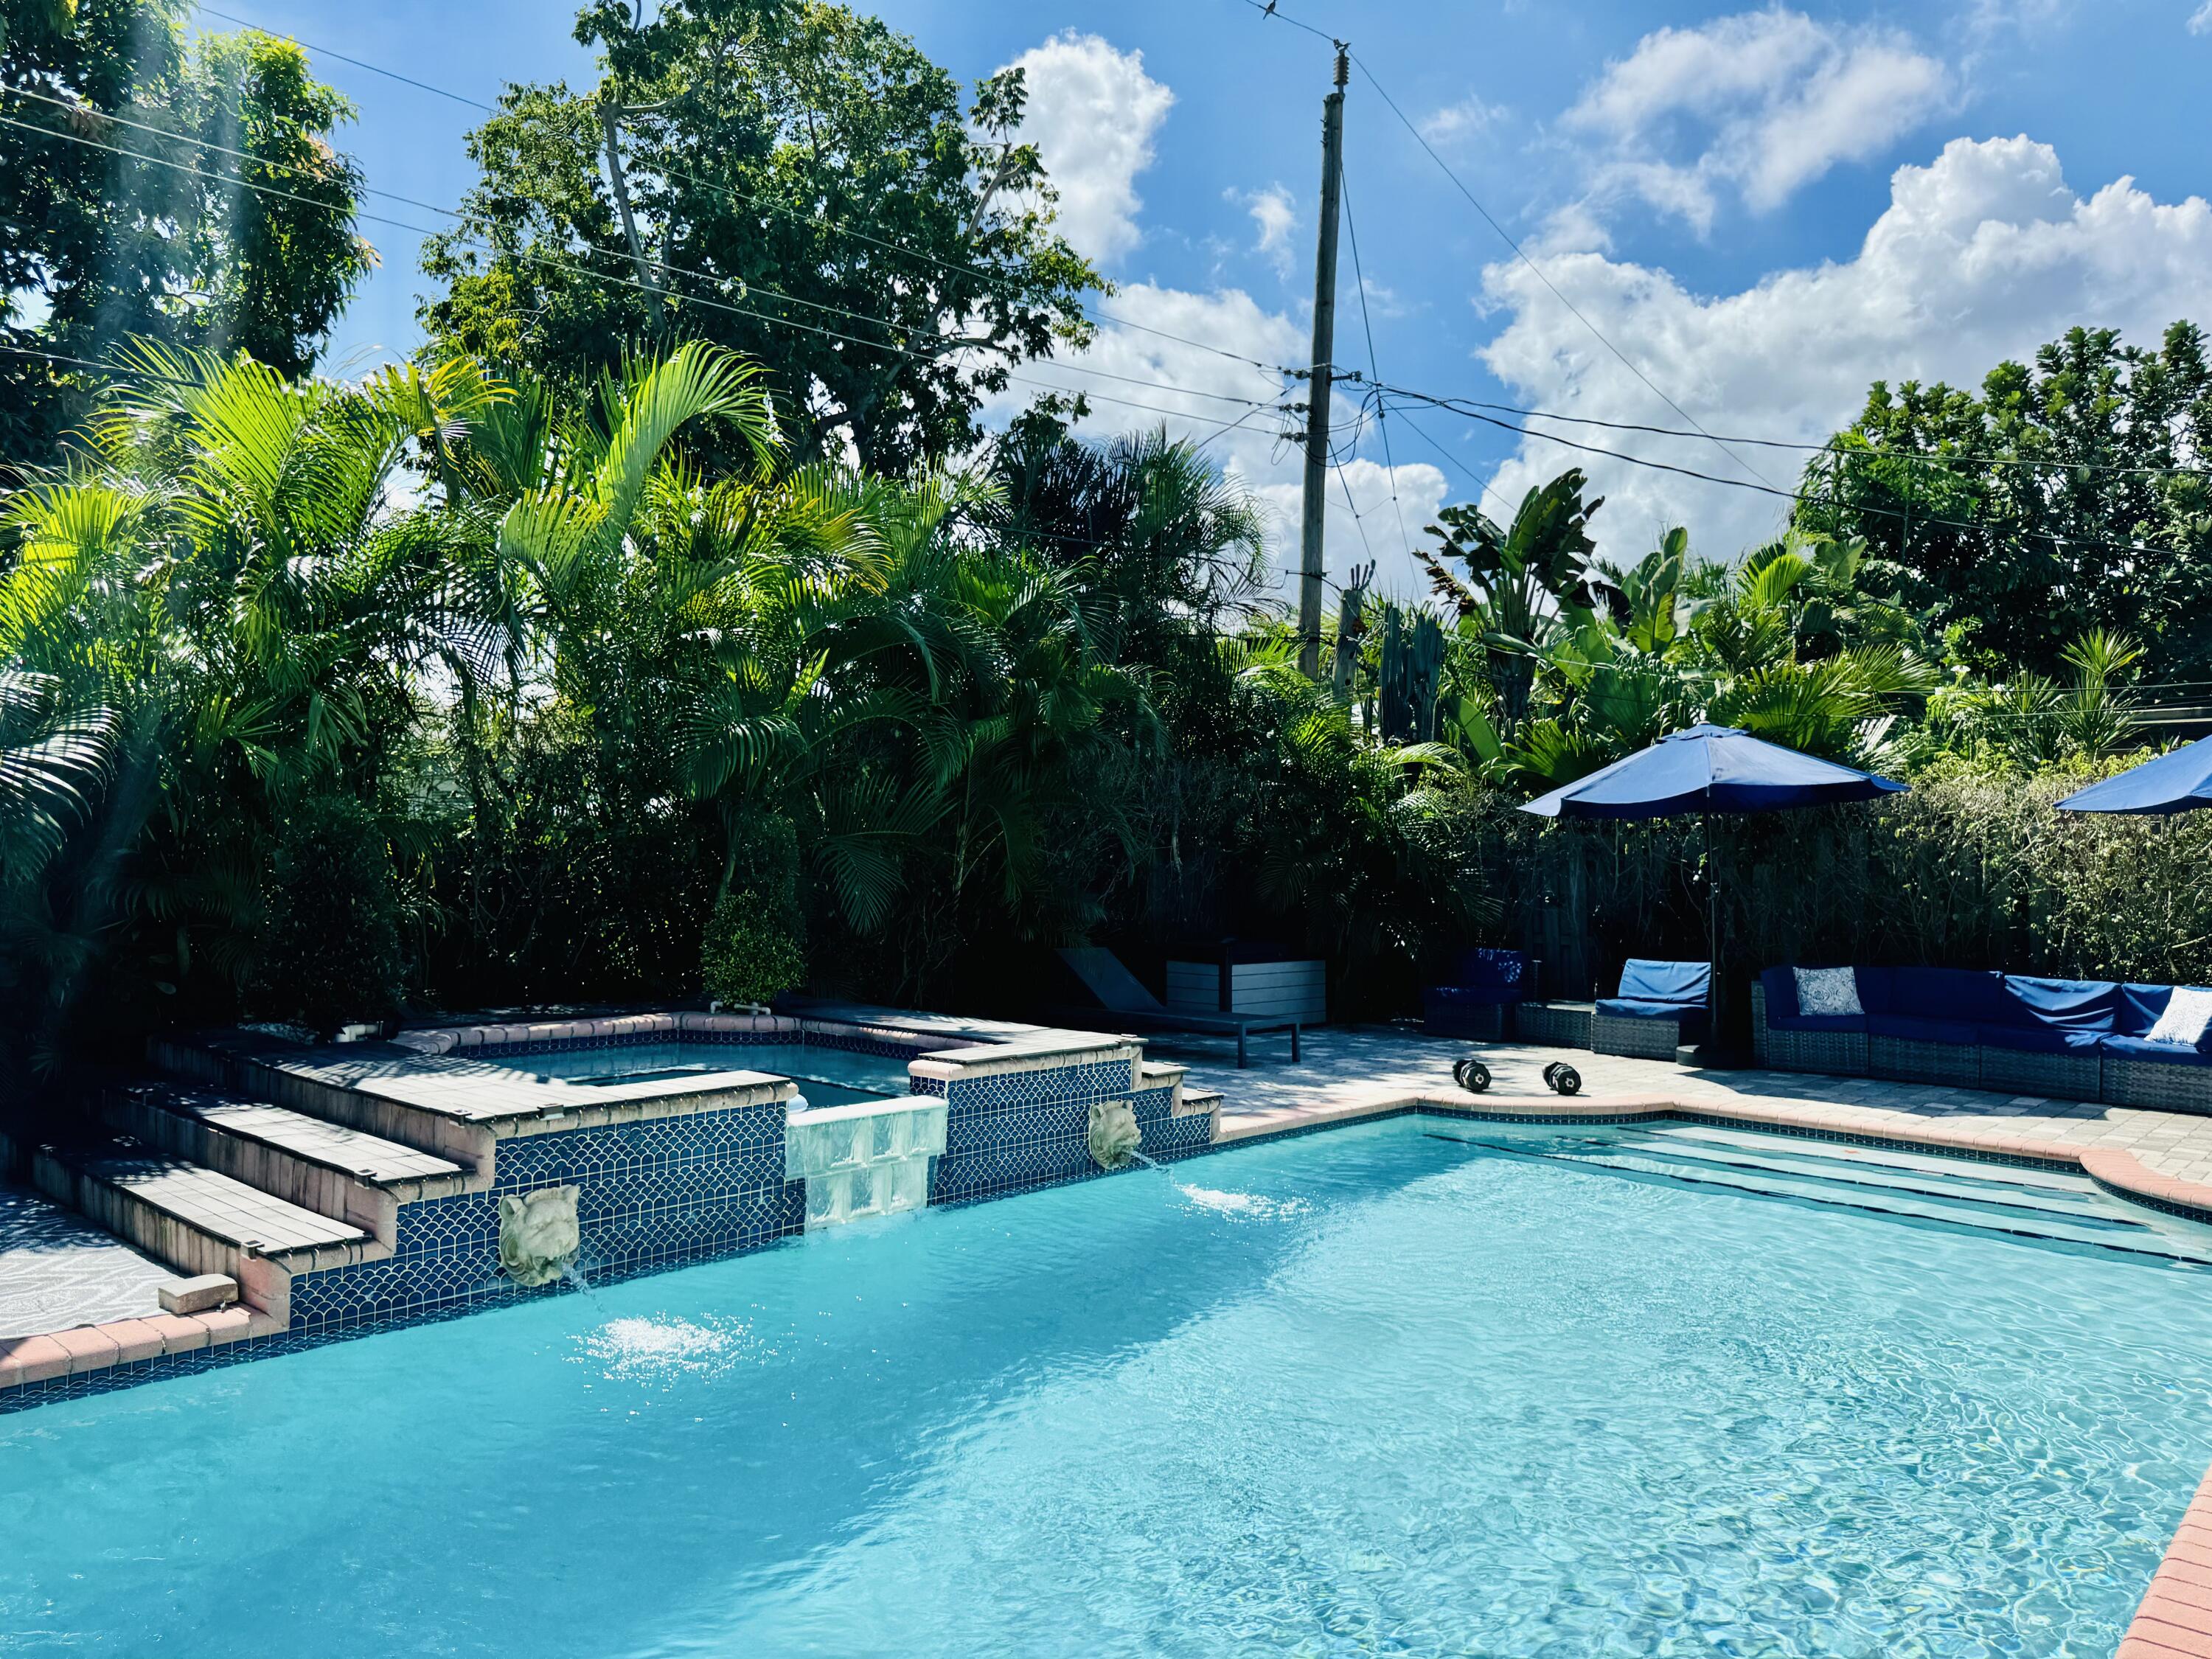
2007 1032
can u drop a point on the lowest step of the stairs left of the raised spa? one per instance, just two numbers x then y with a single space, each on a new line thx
196 1220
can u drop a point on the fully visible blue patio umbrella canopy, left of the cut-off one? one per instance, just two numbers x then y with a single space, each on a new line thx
1709 769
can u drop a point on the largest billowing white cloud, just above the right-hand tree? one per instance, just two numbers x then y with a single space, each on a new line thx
1981 255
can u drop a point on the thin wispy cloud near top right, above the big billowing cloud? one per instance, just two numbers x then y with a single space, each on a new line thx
1757 105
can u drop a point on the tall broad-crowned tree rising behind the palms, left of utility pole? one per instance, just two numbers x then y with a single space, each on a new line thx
784 178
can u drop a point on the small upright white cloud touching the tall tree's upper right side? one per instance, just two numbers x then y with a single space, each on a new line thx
1094 116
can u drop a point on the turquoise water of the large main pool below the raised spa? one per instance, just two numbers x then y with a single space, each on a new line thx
1359 1392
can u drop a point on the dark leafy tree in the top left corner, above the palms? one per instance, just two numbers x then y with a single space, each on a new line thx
118 209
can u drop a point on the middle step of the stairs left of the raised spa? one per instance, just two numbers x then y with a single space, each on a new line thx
322 1167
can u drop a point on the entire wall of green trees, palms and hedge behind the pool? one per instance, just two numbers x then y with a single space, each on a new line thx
581 662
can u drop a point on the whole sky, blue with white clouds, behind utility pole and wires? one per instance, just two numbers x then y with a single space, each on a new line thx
1762 209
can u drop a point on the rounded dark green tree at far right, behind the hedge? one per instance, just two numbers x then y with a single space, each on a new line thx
2060 499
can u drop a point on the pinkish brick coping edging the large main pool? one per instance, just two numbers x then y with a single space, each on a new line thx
2173 1620
